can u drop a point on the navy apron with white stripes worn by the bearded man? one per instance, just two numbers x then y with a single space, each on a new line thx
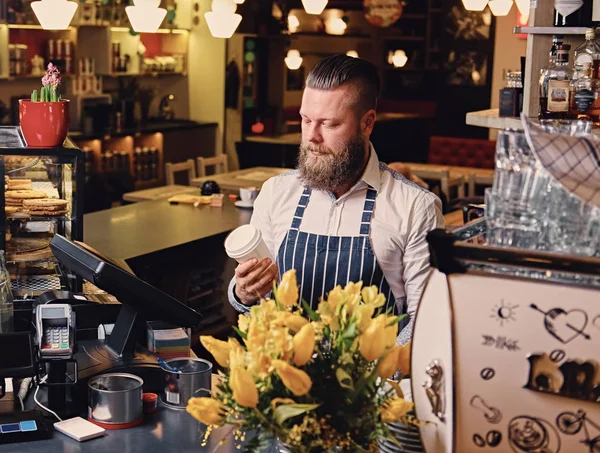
322 262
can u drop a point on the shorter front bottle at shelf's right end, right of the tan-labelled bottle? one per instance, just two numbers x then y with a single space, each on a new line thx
584 103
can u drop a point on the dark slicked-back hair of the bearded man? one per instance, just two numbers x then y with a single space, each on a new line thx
337 70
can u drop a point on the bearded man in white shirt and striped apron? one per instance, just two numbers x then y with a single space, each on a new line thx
342 216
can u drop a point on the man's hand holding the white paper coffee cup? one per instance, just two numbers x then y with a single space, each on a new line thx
254 279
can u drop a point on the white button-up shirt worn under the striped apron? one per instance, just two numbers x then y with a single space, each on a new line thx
404 214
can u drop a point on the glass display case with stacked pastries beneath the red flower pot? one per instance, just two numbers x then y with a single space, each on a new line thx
42 195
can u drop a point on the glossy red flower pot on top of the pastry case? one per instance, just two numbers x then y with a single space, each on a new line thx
44 124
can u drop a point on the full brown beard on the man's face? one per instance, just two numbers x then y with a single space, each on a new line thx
333 169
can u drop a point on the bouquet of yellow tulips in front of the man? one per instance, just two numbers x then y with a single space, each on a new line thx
315 380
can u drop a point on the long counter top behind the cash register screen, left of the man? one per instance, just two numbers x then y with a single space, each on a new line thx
139 229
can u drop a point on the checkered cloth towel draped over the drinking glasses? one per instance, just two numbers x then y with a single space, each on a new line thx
573 160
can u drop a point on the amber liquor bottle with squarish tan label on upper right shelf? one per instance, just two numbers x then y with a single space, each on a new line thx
554 87
